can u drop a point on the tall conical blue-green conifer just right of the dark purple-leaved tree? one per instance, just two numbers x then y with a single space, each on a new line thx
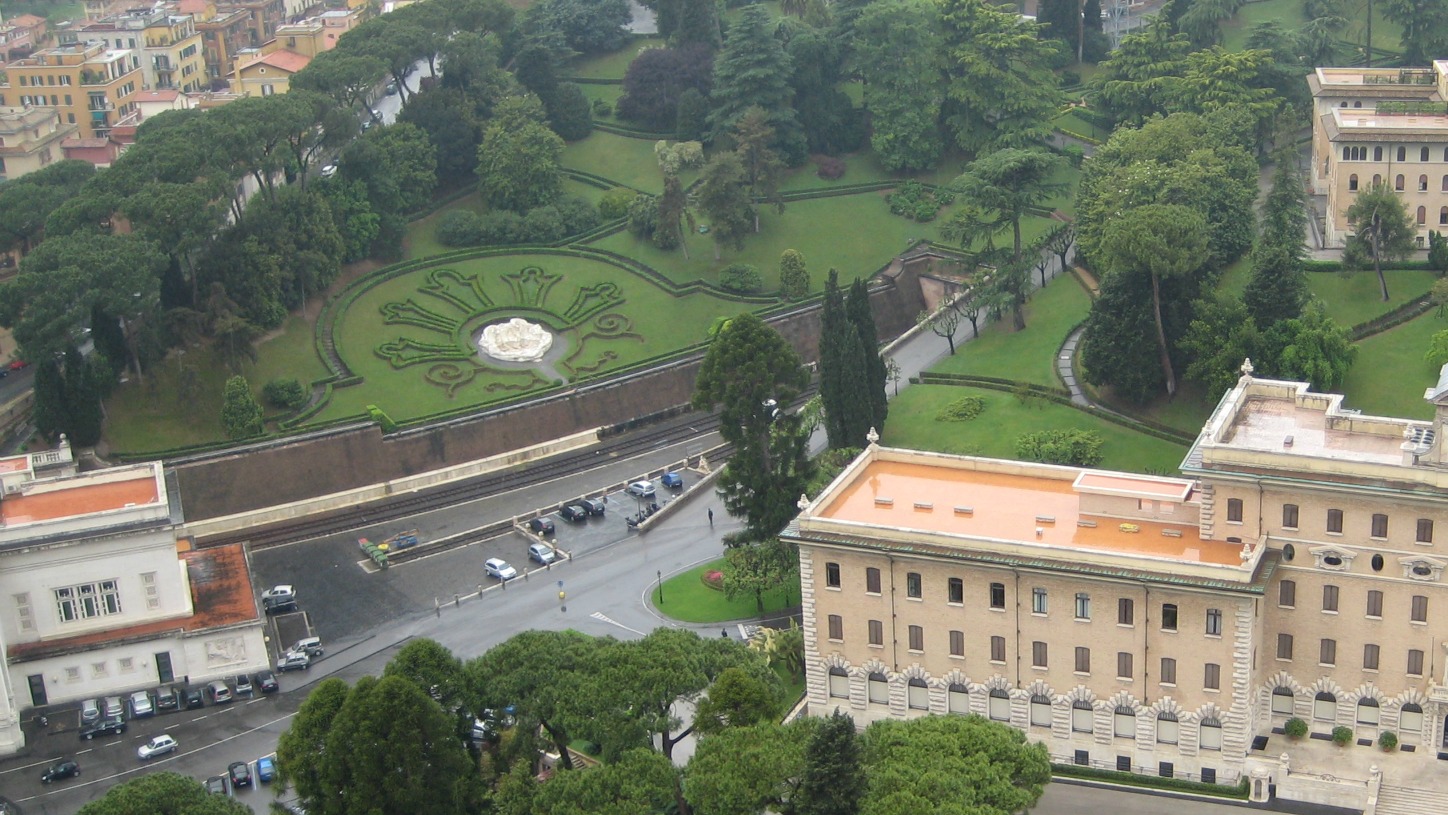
754 70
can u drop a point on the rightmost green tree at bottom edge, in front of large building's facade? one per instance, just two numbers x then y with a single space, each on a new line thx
969 764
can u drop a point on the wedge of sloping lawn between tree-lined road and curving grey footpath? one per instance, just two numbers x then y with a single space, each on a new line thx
1027 355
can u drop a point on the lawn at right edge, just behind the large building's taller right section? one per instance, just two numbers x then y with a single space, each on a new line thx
1391 374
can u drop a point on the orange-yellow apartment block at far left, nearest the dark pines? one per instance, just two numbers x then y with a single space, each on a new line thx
90 86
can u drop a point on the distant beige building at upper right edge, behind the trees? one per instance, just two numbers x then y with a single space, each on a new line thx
1381 127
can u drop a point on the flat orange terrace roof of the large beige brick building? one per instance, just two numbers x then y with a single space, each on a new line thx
984 504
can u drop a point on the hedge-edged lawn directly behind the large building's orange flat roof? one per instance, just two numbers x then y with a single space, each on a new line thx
994 434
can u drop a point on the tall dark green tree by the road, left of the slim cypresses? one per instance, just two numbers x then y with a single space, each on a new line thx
752 376
